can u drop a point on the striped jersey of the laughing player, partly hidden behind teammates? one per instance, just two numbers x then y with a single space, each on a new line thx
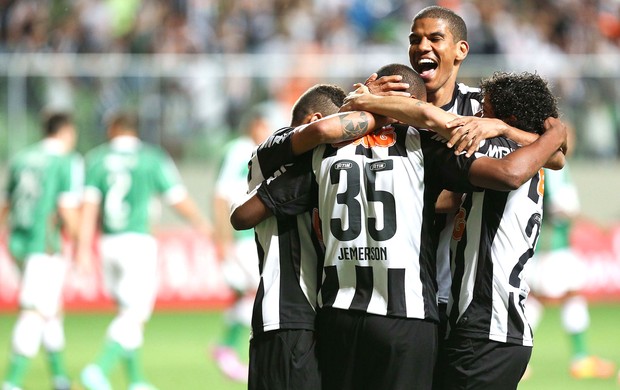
466 101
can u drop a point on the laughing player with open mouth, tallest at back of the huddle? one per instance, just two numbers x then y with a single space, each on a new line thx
437 48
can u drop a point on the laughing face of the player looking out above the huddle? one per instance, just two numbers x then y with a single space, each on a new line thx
436 56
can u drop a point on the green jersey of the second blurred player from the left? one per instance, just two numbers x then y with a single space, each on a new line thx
125 175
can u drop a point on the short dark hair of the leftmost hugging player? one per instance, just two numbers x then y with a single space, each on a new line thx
323 98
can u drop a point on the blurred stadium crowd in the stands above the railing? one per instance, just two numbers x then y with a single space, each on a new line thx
210 26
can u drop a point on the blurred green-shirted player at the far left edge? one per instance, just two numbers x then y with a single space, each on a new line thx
42 201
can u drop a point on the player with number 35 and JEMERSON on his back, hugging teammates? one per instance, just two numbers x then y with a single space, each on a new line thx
379 262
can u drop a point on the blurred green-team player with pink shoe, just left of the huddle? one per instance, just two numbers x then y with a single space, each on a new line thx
237 249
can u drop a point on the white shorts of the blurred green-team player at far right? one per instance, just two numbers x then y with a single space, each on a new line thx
554 274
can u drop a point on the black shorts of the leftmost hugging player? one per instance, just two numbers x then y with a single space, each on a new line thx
284 359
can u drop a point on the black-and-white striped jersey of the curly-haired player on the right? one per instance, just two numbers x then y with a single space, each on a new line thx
494 235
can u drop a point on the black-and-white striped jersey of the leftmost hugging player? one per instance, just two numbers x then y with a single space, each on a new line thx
289 252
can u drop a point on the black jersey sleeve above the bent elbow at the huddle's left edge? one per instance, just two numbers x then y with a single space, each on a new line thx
291 193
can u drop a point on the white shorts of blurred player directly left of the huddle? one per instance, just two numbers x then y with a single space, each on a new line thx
240 270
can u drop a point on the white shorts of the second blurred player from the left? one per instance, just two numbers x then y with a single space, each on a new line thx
130 271
